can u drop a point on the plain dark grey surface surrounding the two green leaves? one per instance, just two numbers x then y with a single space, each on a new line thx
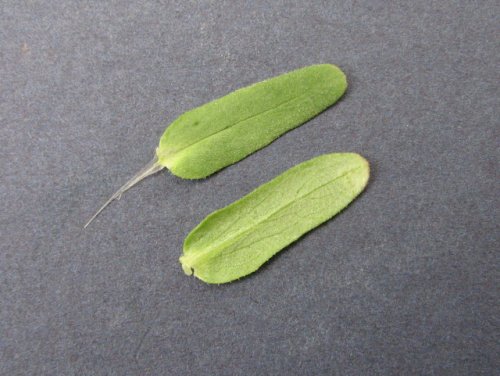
402 282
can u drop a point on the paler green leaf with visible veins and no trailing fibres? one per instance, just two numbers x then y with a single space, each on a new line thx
236 240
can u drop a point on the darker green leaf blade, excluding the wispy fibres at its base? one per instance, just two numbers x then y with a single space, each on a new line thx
224 131
